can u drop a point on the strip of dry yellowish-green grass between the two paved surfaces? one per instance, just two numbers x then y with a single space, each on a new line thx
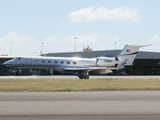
44 85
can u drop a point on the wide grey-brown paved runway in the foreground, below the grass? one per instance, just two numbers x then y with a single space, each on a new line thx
117 105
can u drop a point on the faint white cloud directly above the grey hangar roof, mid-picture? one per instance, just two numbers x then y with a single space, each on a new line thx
95 41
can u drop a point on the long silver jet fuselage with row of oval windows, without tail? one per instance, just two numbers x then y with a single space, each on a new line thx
61 62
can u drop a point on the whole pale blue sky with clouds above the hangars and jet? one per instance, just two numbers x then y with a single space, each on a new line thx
25 24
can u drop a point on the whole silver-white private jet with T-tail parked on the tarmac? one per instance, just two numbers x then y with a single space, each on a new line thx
81 66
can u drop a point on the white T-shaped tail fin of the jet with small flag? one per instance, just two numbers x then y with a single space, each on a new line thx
129 52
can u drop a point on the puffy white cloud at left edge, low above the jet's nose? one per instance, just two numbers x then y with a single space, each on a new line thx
19 45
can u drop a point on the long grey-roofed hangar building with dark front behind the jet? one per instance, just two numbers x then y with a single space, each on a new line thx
146 63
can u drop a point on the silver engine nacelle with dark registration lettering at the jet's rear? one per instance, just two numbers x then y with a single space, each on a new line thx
108 62
